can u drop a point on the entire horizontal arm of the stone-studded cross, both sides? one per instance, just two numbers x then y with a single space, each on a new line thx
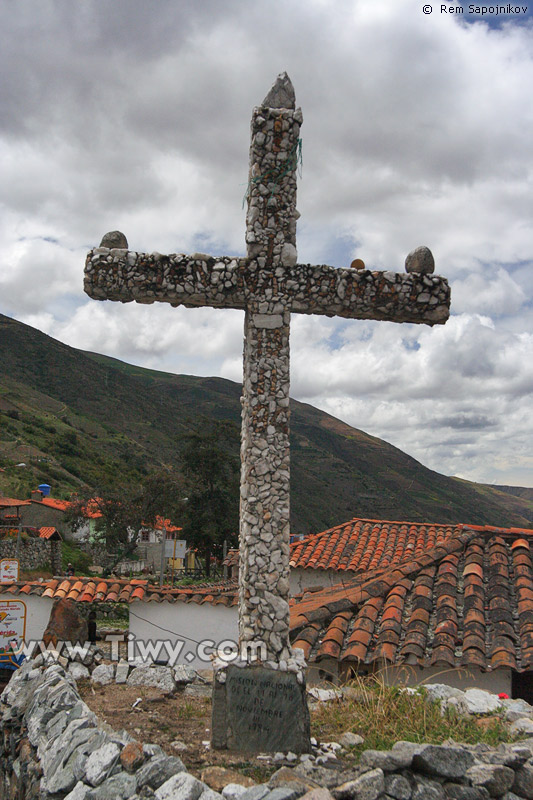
226 282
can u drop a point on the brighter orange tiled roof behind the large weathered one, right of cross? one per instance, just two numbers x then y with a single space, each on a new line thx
363 545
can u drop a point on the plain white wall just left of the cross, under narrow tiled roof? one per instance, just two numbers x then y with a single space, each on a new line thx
185 624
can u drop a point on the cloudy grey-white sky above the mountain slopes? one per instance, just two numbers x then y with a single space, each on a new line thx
134 115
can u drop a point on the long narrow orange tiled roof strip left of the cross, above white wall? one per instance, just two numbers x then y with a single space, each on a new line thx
94 590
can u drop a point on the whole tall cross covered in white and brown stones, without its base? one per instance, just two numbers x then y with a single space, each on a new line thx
268 285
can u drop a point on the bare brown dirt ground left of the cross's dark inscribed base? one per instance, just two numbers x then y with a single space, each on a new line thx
167 721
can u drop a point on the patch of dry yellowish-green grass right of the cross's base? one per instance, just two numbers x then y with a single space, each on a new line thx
383 715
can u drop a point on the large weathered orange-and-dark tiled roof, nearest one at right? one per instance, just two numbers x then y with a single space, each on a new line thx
467 602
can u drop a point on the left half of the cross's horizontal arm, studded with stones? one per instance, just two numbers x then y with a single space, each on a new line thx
196 280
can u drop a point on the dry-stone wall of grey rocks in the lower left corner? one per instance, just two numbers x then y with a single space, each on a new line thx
53 746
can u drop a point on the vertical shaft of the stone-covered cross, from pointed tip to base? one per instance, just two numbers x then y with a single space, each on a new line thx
265 458
